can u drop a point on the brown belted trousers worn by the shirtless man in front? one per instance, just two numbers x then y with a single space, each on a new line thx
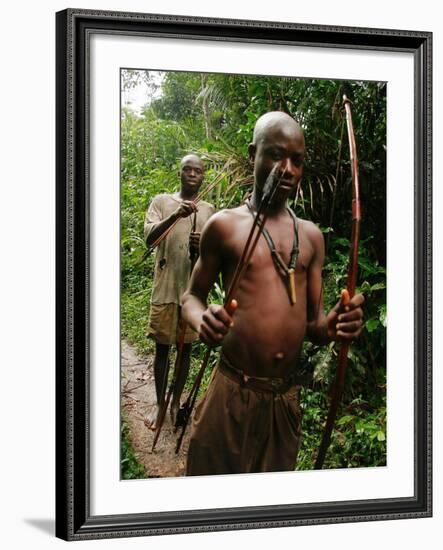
245 425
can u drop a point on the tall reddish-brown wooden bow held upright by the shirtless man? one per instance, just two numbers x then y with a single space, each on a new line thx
338 385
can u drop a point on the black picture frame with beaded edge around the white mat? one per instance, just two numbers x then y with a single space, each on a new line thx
74 521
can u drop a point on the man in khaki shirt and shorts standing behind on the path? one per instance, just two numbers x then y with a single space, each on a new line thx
172 271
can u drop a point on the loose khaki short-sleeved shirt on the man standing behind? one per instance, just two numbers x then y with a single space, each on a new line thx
172 263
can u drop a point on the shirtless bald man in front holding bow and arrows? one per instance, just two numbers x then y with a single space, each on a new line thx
249 418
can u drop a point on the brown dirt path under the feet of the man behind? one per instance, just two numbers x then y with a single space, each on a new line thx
138 400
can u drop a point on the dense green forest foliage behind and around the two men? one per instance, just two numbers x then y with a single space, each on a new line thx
214 115
